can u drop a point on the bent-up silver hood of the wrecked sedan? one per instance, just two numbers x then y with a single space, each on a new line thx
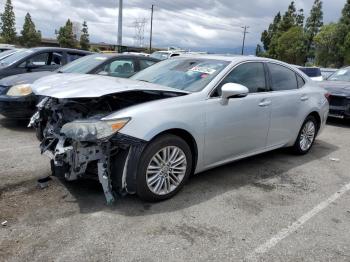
85 86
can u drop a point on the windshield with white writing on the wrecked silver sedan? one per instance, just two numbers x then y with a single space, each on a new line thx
189 74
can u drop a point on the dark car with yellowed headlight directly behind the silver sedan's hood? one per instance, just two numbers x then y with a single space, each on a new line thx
18 102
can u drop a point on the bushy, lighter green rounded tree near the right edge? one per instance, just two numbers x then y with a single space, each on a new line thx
327 50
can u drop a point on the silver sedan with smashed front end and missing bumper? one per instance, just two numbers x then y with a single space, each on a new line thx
182 116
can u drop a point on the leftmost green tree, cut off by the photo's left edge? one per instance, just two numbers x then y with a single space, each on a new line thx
8 26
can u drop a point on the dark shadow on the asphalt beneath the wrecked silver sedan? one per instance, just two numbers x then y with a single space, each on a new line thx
202 187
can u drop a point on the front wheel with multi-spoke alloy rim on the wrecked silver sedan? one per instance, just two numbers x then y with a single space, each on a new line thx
165 166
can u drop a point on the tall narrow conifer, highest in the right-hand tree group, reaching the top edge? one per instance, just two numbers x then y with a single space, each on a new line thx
313 25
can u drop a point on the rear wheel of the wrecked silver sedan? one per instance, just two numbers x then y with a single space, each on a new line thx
306 136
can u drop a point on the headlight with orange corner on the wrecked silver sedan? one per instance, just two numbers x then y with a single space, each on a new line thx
91 130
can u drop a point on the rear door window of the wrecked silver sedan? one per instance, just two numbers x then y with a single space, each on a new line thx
282 78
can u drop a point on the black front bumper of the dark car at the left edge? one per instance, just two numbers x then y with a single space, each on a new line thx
17 107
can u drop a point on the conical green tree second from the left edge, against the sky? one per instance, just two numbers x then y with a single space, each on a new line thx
29 35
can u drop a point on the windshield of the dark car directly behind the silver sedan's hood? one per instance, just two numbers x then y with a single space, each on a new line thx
83 65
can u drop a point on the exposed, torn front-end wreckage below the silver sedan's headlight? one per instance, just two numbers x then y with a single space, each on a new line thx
116 161
